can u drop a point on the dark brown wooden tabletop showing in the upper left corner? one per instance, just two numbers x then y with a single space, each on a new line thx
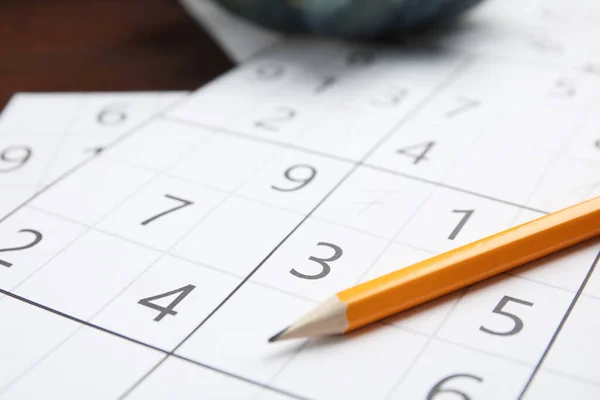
103 45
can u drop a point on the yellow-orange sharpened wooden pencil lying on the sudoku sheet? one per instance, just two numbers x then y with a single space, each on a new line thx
447 272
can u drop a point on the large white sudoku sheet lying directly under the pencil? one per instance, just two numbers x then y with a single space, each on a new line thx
159 268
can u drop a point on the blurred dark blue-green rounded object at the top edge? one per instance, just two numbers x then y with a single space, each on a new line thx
348 18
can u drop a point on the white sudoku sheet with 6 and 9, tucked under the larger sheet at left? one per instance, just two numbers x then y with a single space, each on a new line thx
44 135
